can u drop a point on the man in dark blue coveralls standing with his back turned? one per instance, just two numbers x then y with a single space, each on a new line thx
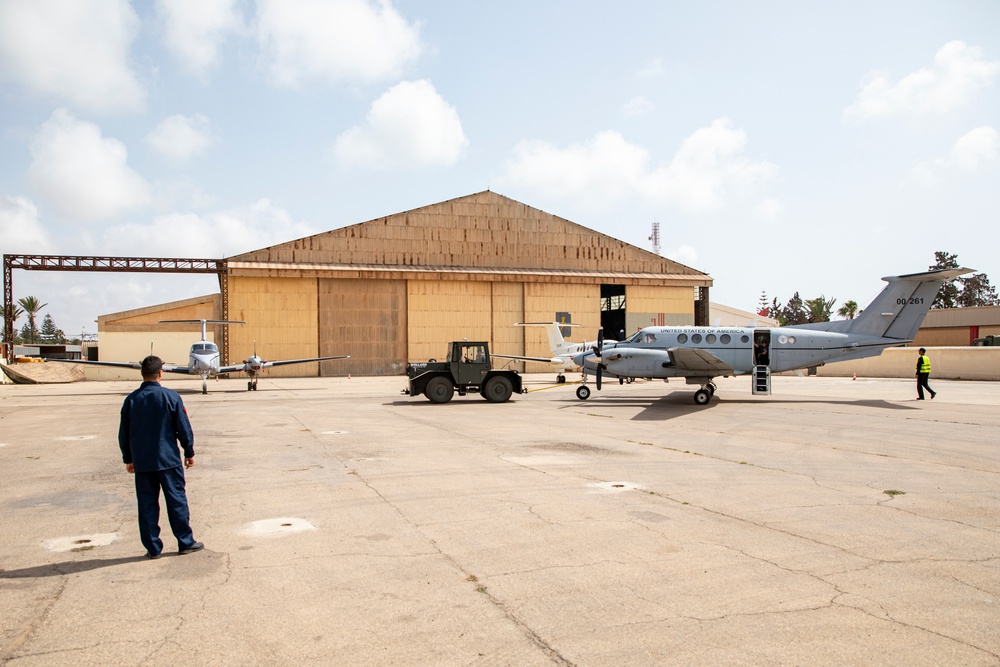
153 421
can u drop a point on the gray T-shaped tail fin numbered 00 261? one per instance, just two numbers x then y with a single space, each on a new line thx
900 307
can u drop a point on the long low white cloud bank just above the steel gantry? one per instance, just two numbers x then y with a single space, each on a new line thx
218 234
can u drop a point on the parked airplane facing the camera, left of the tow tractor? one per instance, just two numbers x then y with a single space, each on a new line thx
203 359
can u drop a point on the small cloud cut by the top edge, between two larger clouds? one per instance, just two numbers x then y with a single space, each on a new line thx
194 30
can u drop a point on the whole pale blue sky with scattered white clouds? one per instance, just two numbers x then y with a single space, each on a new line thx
782 146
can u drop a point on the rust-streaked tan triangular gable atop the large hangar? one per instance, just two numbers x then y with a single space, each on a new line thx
480 231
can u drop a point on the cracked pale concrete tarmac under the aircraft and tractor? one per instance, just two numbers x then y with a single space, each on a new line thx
835 522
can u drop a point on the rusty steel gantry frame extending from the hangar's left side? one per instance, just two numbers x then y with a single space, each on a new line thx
108 264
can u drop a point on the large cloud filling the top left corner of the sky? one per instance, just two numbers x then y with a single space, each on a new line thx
75 51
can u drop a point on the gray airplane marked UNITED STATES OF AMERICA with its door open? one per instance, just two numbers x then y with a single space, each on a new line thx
700 354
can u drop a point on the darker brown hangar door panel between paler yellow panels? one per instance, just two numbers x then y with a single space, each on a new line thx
365 319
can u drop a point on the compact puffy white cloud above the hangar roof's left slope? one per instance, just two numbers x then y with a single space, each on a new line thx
410 125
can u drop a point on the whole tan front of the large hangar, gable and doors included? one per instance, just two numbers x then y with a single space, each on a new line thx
399 288
